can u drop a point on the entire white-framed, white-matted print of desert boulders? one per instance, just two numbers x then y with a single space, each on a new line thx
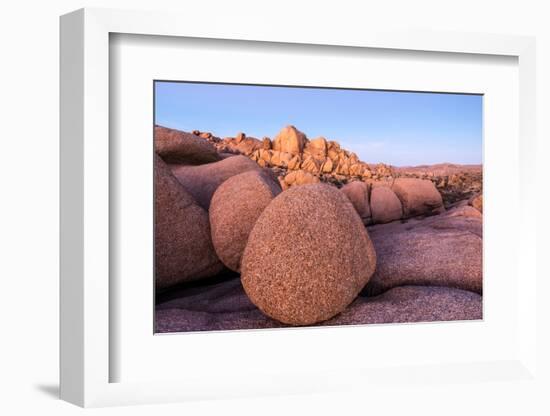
289 213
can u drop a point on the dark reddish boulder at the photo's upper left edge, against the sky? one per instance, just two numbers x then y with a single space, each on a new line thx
175 146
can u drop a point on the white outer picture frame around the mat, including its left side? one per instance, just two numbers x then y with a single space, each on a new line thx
86 301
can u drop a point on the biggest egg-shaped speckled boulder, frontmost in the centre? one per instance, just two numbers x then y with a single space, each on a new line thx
308 256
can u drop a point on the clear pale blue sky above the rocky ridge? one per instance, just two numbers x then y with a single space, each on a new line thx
399 128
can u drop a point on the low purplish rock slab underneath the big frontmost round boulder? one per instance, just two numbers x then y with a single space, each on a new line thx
225 306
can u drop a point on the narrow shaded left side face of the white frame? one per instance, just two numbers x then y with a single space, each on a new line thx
71 219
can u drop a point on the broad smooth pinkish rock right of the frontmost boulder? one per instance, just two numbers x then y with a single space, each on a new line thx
443 250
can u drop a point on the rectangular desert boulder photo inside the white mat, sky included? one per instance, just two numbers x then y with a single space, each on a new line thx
304 206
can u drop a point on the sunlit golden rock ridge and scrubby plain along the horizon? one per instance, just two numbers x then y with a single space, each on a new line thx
323 160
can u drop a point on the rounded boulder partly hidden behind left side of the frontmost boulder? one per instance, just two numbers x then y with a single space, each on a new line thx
234 209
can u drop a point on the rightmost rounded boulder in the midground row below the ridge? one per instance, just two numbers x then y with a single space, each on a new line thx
418 196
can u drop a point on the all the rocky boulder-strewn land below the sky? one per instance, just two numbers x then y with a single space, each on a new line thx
296 231
